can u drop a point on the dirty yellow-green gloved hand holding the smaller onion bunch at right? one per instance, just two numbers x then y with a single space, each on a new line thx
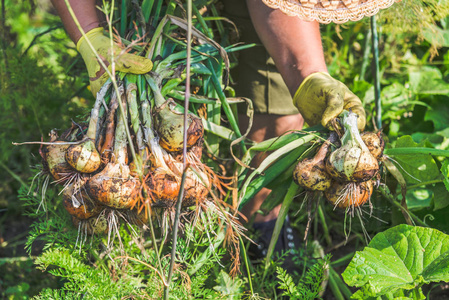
321 98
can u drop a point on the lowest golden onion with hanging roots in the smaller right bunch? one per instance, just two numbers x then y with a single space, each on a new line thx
349 195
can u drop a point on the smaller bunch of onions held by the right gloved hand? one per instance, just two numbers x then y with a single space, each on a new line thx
345 174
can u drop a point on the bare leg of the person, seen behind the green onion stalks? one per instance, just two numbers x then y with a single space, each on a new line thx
265 127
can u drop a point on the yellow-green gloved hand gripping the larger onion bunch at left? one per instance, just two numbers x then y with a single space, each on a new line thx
128 63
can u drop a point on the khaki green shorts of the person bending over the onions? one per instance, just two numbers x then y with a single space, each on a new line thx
256 76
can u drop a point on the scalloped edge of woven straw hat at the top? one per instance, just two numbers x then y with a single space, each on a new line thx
326 11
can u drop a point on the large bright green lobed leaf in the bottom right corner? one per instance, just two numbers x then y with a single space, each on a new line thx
399 261
